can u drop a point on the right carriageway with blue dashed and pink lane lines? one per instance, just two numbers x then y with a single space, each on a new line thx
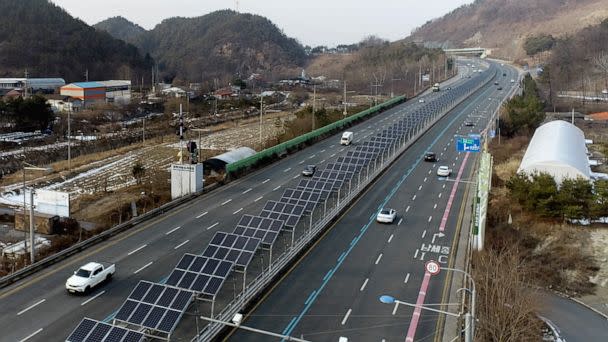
333 290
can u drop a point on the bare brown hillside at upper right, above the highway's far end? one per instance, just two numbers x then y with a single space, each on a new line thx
505 25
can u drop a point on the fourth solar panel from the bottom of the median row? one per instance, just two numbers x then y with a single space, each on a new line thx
232 247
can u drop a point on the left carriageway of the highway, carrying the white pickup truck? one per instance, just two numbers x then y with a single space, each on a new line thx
39 309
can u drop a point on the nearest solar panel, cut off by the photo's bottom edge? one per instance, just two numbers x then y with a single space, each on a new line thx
90 330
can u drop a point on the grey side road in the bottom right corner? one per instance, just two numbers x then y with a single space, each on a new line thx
575 322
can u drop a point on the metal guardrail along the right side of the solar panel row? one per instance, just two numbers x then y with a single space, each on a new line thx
264 279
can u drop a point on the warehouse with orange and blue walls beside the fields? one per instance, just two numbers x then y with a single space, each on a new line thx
91 93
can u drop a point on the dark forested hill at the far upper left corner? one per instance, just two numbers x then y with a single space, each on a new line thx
45 40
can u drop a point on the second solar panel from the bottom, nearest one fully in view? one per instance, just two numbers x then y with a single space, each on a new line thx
160 307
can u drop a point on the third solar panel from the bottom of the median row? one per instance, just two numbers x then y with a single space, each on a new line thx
200 274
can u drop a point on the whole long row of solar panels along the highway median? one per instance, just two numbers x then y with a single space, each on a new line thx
159 307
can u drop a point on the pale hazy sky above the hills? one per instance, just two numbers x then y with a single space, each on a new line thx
312 22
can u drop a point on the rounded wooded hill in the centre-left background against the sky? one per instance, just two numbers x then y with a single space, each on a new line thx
222 45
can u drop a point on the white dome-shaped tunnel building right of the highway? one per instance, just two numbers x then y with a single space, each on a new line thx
557 148
